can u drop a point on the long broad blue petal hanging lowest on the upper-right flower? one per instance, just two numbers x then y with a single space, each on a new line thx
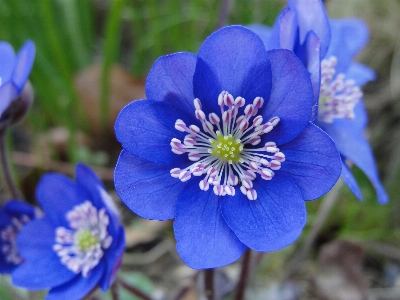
354 146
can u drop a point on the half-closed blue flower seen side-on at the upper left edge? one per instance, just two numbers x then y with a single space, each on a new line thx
15 93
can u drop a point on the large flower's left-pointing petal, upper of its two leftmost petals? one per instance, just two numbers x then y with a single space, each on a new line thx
145 128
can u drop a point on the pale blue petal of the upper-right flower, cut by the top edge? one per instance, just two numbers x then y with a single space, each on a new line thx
312 16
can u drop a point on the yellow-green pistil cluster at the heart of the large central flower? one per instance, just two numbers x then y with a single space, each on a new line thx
227 148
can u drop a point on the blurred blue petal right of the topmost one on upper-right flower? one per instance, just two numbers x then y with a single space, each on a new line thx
348 37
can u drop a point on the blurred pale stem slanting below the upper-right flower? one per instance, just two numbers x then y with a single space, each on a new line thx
322 214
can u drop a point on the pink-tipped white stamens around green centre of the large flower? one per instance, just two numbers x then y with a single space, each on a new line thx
224 152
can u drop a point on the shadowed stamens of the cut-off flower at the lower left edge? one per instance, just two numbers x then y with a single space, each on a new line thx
8 237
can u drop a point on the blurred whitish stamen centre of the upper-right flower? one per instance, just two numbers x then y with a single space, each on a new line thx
338 96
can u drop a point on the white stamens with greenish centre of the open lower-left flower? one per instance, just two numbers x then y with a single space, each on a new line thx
81 247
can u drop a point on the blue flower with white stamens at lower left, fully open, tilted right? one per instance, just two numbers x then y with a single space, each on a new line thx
79 242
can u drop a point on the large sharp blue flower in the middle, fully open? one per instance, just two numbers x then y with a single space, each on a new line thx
223 145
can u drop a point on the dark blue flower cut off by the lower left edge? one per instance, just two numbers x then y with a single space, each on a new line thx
13 216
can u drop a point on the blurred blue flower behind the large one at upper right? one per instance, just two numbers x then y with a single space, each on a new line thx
327 48
